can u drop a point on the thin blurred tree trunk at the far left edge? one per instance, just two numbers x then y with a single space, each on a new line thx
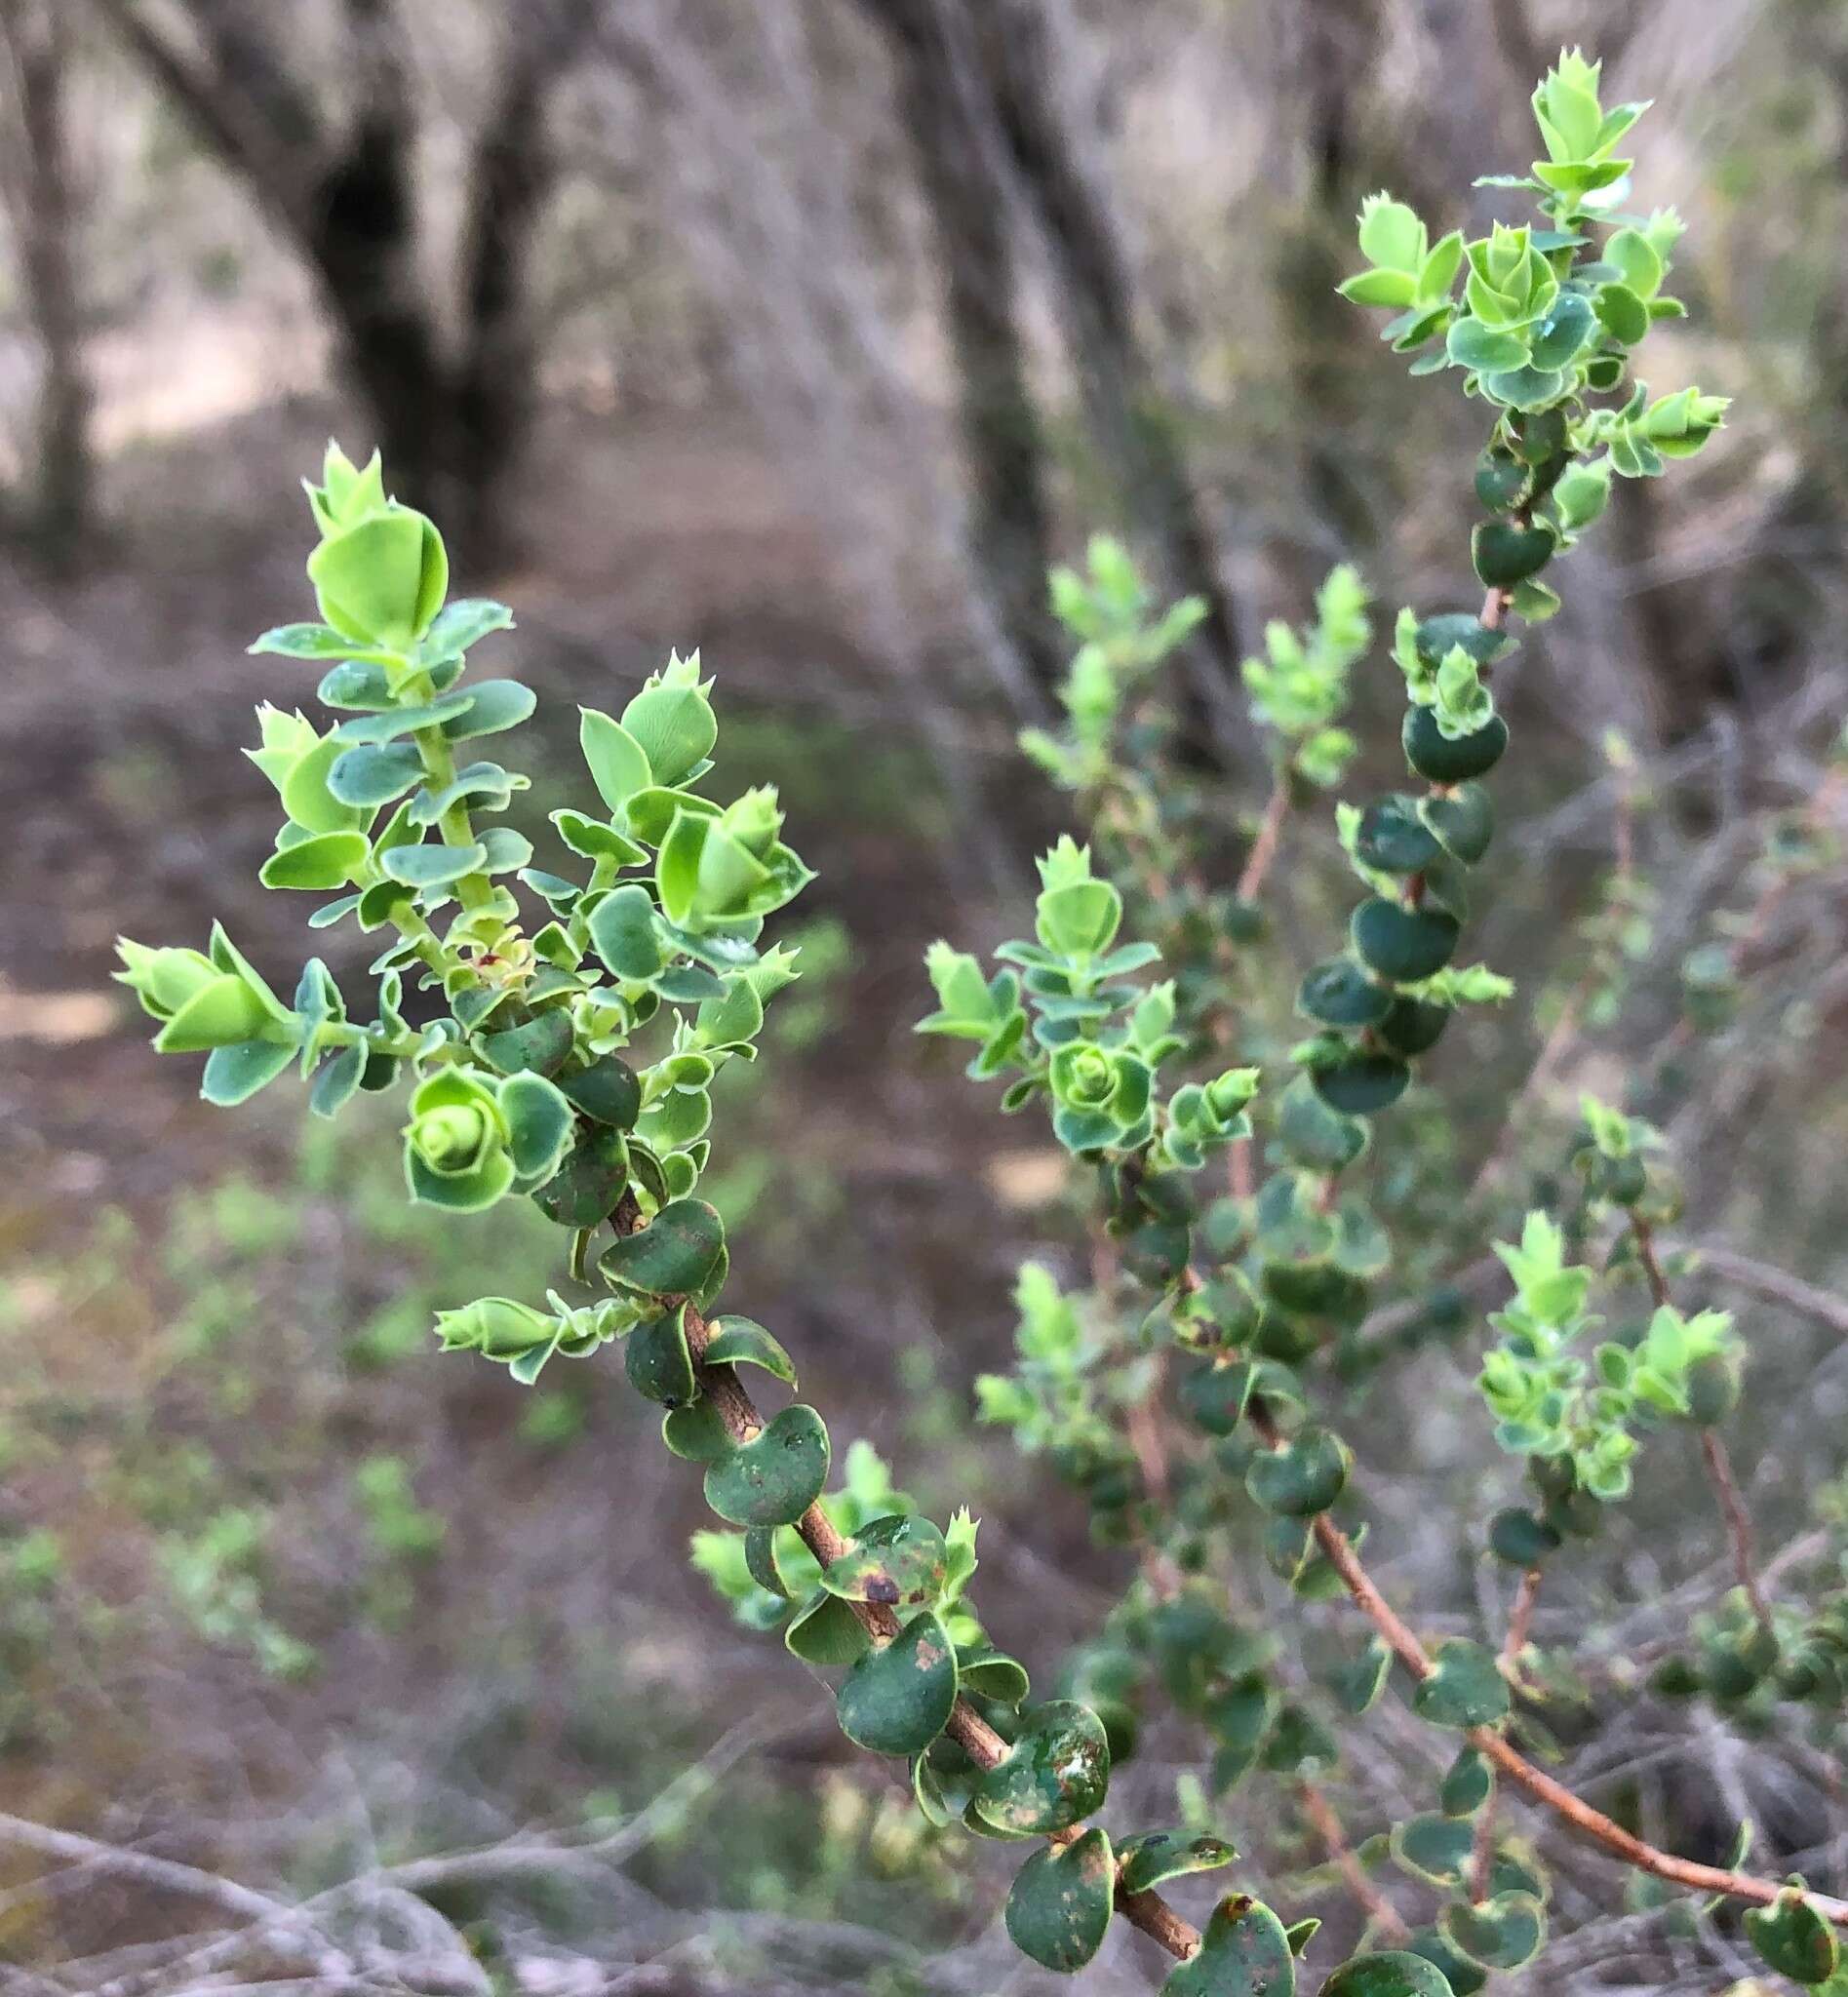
41 195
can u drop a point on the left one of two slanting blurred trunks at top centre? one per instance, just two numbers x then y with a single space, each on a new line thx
966 193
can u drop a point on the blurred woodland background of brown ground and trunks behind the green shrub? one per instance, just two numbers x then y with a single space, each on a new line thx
808 333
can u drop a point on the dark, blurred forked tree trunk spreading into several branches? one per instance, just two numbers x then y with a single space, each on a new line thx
451 424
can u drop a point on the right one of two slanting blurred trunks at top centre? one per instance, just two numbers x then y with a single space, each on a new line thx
1132 416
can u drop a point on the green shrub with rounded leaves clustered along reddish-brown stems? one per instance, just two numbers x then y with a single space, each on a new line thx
574 1063
